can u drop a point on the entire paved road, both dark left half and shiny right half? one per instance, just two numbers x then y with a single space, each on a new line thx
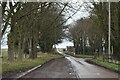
71 67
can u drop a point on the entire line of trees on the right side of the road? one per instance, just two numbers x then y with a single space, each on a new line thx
90 35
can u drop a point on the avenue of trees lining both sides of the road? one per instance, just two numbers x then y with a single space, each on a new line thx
41 25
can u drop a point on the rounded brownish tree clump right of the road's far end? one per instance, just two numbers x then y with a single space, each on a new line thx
85 36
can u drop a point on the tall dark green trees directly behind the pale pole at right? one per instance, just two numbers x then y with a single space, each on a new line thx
101 11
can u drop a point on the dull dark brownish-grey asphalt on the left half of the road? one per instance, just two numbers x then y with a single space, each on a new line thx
59 68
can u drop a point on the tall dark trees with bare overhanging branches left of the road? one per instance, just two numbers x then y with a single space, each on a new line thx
33 26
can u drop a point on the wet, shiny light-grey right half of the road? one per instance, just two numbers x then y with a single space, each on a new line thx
86 70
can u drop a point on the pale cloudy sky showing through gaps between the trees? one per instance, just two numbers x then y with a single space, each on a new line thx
78 15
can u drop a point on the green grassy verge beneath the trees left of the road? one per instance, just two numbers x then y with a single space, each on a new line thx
17 65
